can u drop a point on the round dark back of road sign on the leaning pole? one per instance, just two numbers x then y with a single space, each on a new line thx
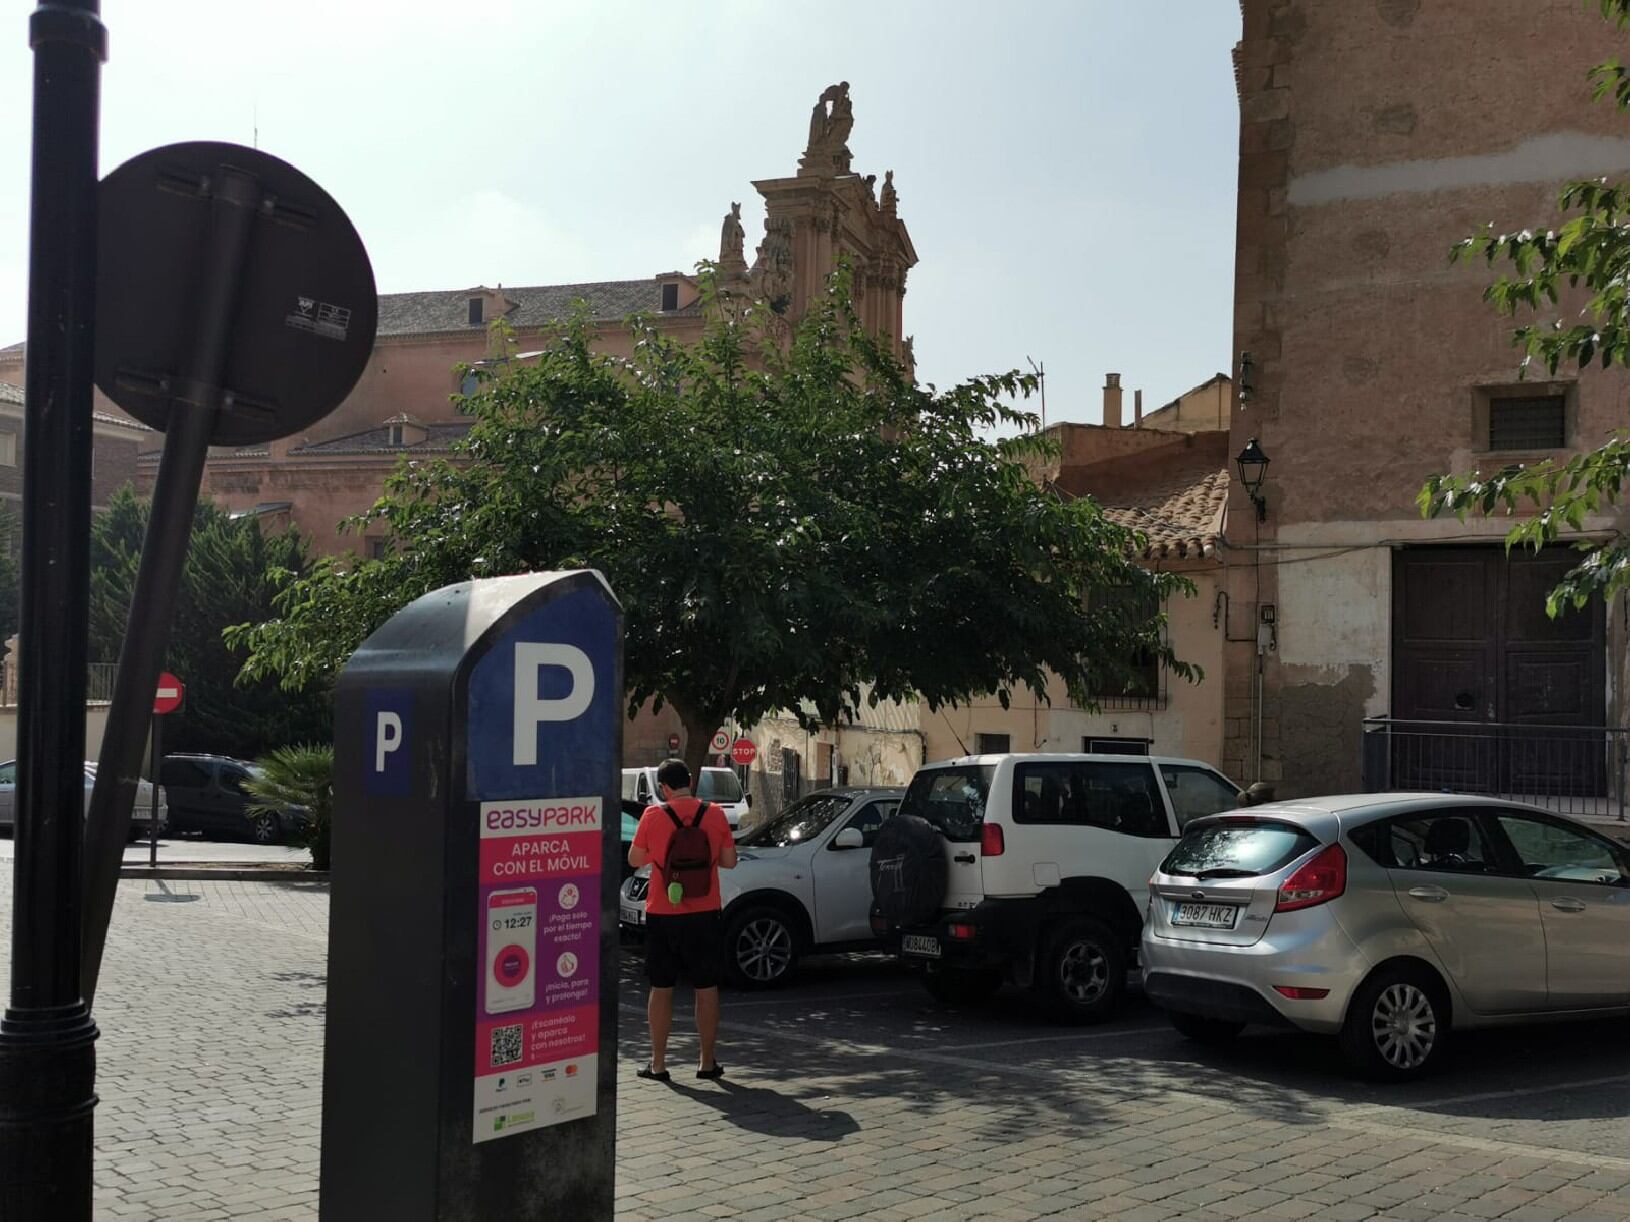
306 312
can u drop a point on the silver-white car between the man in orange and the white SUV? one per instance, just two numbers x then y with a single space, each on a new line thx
801 886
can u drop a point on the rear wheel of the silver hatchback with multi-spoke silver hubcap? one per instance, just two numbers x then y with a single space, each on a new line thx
1396 1024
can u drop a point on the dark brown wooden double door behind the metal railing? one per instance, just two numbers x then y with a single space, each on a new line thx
1474 648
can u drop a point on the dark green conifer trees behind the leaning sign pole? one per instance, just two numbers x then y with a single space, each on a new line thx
232 574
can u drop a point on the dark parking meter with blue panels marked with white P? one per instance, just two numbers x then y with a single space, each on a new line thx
470 1065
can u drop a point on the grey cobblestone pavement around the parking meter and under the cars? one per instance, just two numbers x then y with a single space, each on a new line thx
850 1096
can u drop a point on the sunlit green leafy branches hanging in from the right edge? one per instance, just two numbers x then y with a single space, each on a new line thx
1588 252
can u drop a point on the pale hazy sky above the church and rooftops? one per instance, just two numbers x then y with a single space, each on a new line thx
1067 170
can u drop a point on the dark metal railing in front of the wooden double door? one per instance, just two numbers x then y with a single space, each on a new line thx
1574 770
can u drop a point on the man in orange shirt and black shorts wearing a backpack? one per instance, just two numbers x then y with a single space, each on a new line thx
682 928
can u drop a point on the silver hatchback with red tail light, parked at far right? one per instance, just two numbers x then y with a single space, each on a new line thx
1388 920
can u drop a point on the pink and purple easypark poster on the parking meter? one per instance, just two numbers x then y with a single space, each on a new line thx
539 998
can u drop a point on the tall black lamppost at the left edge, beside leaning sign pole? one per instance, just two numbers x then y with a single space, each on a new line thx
48 1062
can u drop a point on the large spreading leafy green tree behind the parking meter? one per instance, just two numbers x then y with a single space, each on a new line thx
783 512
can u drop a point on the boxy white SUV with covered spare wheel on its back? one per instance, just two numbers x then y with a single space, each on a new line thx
1033 869
